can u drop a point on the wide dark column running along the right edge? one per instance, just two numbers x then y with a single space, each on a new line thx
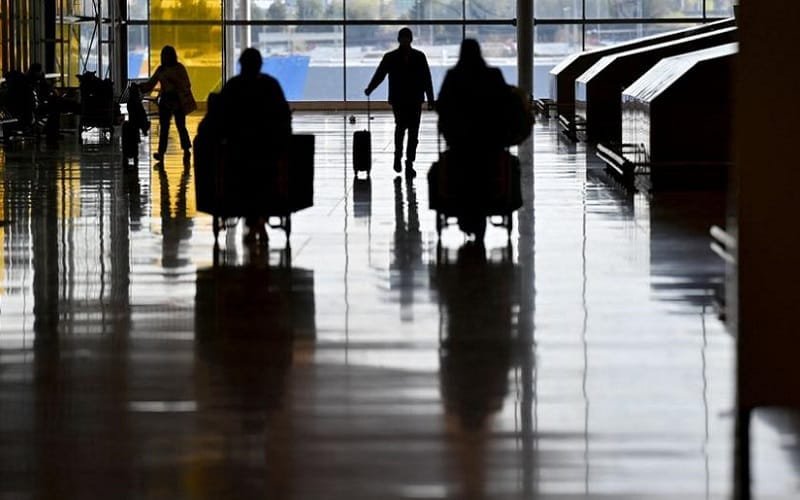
762 285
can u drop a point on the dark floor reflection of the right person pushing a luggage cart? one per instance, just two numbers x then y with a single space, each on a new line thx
478 299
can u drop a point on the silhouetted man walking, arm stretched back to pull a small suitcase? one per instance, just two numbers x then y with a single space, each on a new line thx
409 84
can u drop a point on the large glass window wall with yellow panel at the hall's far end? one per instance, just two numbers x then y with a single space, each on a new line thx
326 50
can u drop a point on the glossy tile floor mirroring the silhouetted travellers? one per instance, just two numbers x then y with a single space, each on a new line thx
581 359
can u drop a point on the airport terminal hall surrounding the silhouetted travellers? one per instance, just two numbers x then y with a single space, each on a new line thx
627 333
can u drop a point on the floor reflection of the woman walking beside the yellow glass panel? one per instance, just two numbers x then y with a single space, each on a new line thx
176 227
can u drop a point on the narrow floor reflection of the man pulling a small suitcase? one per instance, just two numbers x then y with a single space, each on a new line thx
407 246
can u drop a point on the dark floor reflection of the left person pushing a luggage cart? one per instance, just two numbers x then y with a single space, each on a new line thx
251 321
